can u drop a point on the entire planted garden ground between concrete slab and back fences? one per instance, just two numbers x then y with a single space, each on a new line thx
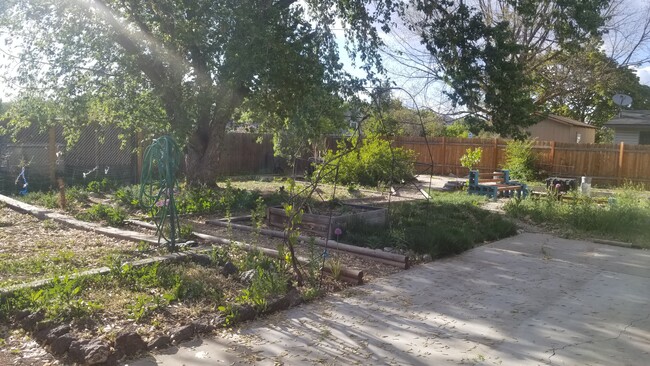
91 294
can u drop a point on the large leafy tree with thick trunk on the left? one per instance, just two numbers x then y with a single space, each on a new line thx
188 66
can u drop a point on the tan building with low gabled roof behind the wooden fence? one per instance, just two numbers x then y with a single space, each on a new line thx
563 129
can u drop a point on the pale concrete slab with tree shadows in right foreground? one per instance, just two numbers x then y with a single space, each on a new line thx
531 299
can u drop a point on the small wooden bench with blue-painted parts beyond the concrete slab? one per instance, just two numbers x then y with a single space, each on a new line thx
495 184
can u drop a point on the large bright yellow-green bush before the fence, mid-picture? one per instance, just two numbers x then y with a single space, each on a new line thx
374 163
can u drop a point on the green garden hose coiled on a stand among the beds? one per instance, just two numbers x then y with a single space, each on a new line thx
158 186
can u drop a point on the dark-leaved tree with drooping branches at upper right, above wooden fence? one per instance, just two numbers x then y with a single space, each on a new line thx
491 53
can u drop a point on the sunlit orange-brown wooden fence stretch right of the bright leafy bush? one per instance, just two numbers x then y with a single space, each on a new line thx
605 163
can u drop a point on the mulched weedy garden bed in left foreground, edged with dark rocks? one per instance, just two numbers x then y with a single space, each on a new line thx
84 317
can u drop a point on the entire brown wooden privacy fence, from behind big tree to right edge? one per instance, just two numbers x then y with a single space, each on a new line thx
605 163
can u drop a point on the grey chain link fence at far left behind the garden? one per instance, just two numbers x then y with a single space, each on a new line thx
37 159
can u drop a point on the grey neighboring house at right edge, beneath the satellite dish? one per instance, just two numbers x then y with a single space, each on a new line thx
631 127
